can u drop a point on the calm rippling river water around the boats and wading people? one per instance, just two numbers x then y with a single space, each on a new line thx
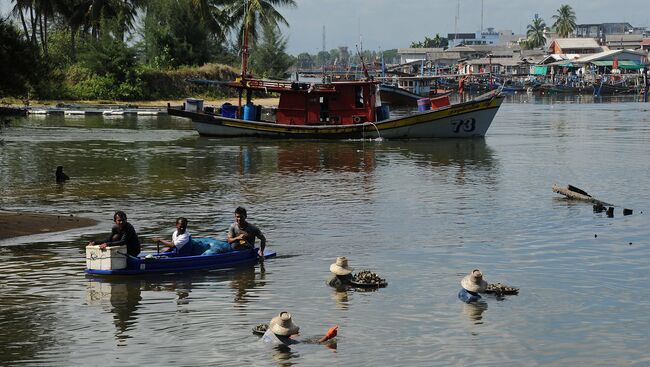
420 213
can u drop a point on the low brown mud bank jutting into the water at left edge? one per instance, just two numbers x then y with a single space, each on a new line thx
23 224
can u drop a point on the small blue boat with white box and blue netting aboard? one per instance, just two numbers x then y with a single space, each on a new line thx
115 261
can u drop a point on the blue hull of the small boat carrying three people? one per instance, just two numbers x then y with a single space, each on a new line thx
143 265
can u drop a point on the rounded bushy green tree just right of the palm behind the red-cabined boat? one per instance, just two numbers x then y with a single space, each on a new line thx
269 59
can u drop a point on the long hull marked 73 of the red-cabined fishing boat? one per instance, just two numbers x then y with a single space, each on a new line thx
462 120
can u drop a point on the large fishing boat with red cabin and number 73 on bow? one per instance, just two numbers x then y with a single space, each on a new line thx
333 110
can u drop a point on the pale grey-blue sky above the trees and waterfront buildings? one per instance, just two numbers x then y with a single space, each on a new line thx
386 24
